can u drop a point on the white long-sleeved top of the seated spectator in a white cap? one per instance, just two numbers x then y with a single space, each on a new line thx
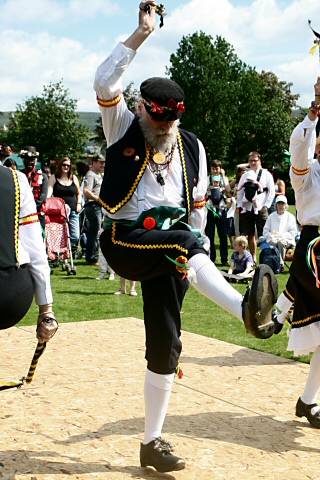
281 228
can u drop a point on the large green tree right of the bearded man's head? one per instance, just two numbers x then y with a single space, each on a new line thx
232 108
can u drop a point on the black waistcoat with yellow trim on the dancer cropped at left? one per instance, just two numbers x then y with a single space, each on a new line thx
9 217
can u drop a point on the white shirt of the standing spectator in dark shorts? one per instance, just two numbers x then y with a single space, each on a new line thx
263 199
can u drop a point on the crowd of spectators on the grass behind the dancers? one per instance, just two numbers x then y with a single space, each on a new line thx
251 206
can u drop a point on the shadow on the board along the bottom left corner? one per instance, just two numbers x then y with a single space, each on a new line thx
26 462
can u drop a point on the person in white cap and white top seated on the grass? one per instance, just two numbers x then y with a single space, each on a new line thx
280 229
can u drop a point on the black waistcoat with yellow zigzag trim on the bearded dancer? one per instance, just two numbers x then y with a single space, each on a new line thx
126 162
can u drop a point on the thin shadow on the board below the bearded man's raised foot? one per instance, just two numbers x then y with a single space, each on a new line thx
240 358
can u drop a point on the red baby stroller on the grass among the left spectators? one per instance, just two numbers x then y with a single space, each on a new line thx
57 235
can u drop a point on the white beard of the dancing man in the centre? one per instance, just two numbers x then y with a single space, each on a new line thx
157 137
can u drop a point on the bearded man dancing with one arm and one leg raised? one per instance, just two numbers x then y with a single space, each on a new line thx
155 176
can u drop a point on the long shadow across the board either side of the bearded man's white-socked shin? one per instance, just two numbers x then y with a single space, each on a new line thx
262 432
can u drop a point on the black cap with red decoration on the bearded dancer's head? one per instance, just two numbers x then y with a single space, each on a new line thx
163 98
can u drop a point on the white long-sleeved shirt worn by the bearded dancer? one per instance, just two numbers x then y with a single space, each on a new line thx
116 119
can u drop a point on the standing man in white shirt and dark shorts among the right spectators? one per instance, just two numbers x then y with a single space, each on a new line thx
253 209
